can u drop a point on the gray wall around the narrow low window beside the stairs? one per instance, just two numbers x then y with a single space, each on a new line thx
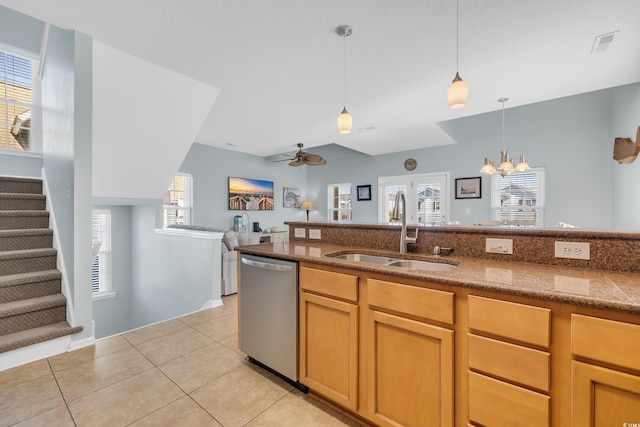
113 315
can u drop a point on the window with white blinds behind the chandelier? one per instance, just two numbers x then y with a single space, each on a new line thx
518 199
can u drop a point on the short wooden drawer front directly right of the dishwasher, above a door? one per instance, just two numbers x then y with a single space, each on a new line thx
338 285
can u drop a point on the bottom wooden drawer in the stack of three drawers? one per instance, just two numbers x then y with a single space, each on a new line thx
496 403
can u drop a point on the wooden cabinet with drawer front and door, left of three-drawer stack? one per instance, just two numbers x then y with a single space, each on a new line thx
410 362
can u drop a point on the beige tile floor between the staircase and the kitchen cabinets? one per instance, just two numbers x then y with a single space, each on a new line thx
182 372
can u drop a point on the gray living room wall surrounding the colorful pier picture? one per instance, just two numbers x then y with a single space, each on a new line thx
211 167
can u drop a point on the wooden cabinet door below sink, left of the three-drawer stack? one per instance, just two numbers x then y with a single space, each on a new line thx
410 367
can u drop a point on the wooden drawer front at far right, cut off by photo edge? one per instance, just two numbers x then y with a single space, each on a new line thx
608 341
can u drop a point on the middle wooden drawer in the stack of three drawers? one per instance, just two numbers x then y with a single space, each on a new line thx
509 361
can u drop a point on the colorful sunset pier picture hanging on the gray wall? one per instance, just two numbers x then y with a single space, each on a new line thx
250 194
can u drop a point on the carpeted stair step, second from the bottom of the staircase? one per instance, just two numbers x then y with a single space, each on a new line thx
32 313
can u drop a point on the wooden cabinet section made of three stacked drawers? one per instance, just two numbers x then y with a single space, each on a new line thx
509 380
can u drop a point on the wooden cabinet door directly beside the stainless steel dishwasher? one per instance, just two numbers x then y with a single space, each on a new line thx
329 348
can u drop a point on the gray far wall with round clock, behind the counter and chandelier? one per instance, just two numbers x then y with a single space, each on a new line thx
570 137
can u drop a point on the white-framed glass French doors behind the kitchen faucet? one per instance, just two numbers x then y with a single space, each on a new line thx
426 196
